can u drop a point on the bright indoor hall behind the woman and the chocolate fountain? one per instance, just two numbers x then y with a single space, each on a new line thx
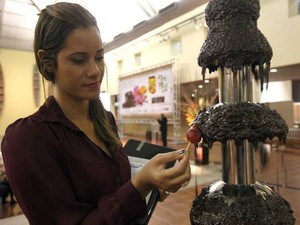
158 50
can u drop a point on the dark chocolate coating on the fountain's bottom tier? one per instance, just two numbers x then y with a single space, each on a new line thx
240 208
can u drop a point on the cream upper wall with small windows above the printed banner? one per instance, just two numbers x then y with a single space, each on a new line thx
154 51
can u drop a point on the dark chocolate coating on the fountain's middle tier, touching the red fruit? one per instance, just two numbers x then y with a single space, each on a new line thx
240 121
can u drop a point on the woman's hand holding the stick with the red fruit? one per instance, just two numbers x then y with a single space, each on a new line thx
155 173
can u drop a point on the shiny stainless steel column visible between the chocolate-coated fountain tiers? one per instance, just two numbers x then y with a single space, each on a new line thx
238 160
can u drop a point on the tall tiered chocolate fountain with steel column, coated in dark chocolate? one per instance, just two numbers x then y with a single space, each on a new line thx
241 54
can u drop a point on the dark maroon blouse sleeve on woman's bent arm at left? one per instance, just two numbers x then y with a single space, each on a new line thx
37 173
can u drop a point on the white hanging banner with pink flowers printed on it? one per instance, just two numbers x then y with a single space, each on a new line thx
148 93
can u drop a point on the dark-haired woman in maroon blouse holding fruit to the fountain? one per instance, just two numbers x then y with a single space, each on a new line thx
65 163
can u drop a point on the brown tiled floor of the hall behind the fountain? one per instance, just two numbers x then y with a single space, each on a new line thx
282 171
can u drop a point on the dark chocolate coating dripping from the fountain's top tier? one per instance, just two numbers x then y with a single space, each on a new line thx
233 39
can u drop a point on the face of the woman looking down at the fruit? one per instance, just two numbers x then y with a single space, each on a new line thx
80 65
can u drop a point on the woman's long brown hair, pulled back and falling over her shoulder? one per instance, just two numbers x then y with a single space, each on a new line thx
54 24
